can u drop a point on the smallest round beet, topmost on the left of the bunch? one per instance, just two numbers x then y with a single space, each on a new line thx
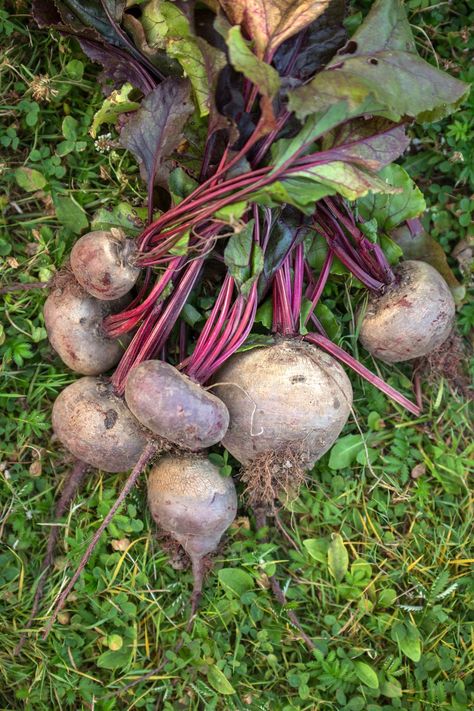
102 264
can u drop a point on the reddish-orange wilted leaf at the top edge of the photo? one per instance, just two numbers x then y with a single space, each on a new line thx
270 22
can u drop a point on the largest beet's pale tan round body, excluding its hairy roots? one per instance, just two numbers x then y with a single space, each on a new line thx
289 396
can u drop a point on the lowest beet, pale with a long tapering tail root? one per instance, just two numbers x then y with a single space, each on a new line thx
189 499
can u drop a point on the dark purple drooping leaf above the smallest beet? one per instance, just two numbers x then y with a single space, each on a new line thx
154 131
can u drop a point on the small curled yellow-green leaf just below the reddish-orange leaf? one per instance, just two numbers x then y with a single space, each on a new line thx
263 75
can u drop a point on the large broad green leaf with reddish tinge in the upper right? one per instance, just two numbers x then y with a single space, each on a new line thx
381 61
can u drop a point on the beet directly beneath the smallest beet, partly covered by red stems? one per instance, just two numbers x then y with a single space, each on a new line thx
73 321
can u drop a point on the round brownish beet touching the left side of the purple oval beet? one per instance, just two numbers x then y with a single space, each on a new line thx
96 426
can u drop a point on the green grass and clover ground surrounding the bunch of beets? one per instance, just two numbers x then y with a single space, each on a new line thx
380 571
